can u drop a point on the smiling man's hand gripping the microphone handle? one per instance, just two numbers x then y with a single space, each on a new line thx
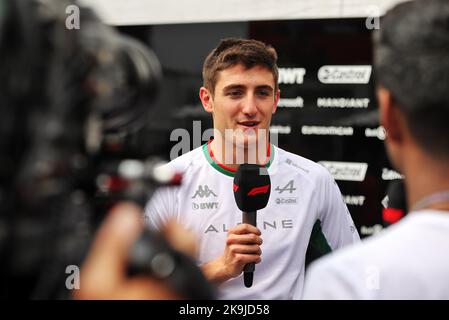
242 247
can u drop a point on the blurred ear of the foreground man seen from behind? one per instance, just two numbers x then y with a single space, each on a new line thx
390 117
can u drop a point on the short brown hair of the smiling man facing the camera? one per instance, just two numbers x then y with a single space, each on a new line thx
233 51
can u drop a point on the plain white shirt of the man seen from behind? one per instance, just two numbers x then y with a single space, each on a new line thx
408 260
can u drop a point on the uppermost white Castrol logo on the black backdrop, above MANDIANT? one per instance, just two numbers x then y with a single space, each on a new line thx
344 74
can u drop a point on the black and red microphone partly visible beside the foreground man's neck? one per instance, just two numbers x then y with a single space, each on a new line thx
395 204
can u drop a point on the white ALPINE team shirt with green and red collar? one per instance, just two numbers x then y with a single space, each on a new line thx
303 195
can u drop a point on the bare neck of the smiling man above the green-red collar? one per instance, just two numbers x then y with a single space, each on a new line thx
233 156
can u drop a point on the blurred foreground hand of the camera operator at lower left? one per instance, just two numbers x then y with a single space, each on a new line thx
103 275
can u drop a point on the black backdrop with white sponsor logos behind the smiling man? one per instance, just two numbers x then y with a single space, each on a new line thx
327 112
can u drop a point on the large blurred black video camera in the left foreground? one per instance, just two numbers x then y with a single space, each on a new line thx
71 101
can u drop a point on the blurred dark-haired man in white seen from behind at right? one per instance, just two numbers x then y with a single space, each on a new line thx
409 260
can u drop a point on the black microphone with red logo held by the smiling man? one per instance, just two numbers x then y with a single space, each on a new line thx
251 193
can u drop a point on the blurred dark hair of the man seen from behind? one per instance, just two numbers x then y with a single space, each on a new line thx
411 60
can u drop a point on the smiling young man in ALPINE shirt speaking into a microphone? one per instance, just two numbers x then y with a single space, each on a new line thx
241 92
